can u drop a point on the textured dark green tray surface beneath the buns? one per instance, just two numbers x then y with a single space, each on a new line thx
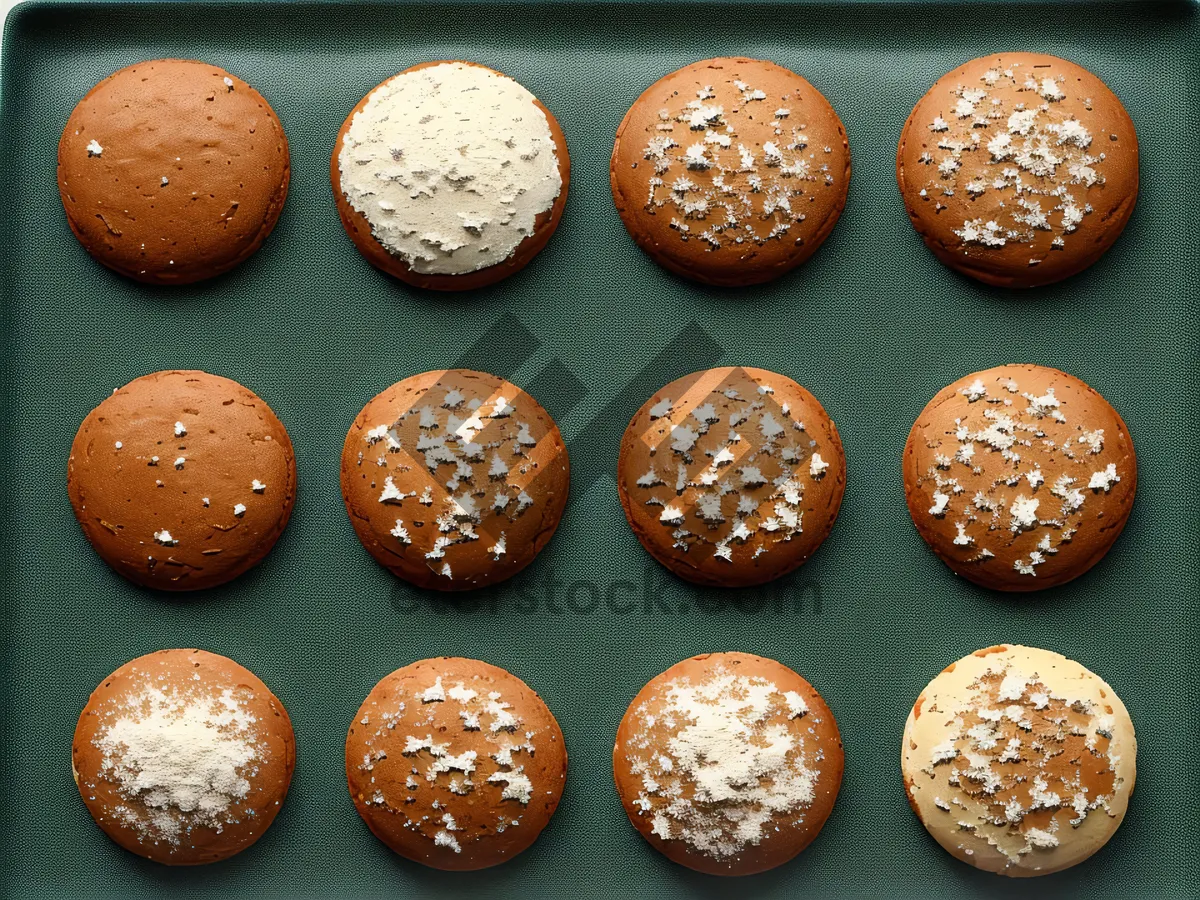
873 326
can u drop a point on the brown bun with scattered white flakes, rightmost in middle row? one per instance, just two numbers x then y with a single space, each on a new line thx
1021 478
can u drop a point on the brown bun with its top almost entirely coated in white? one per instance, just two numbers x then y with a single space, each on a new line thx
451 176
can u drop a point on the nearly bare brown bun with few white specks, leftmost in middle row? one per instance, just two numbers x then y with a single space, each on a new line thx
182 481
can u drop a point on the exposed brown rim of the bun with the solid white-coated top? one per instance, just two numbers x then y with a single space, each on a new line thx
358 227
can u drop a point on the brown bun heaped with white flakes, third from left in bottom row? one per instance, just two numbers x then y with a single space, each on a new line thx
729 764
